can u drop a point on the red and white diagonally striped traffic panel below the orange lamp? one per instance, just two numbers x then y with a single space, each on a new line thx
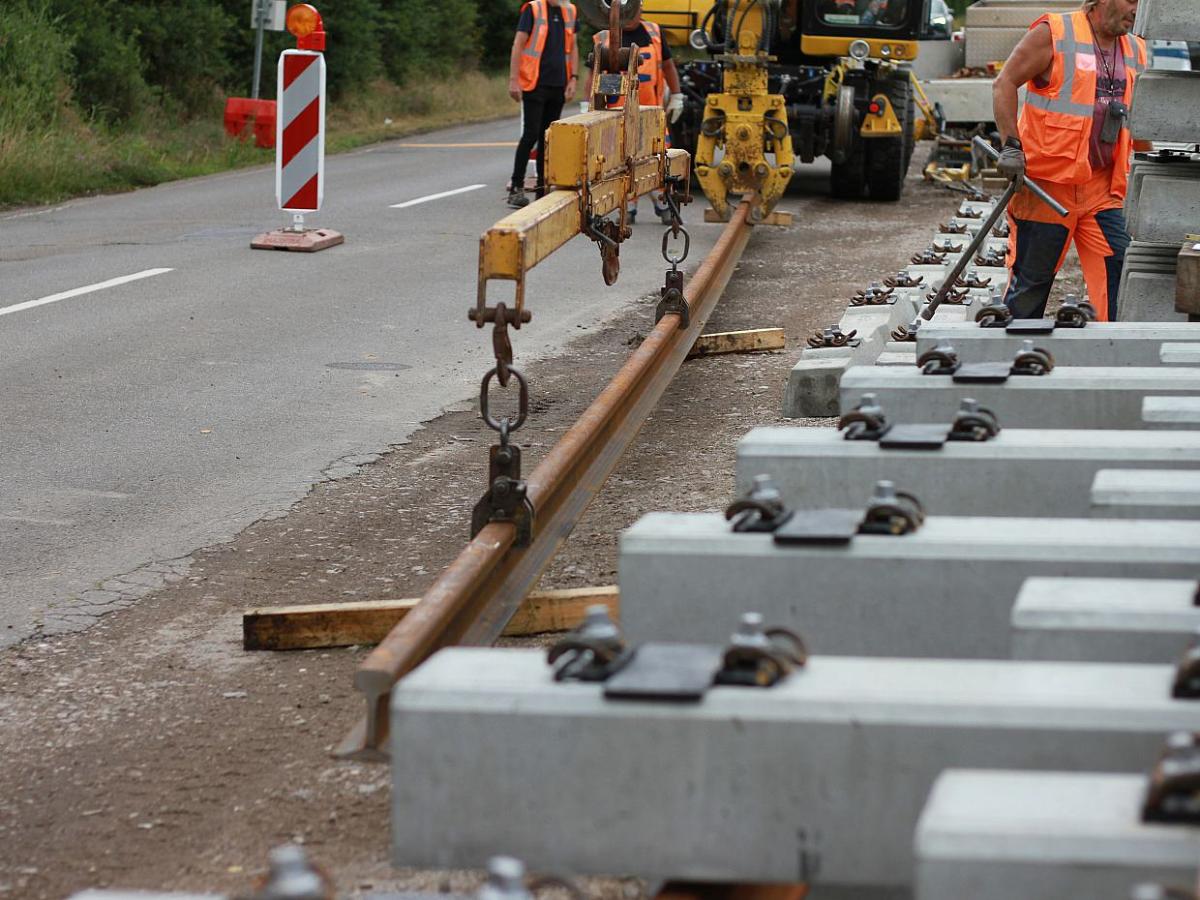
301 133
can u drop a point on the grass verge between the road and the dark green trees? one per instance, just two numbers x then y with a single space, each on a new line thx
71 158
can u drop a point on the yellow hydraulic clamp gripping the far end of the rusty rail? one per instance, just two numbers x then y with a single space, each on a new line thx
746 122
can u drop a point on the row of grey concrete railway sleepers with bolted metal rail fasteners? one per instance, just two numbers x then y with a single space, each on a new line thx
992 695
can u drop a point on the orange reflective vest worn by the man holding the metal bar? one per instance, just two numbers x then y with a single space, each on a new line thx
1057 123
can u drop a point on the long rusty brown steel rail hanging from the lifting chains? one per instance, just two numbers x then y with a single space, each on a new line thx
482 590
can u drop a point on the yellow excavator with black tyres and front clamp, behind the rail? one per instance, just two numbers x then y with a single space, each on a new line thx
776 80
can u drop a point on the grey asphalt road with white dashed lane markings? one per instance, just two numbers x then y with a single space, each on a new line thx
165 413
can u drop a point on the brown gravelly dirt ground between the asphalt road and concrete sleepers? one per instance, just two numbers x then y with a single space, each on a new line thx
151 752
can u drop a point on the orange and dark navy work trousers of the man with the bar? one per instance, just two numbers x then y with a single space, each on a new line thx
1040 238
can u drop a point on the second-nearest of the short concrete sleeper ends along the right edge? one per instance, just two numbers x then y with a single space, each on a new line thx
1105 620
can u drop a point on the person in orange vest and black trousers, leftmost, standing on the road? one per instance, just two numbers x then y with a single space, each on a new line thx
543 69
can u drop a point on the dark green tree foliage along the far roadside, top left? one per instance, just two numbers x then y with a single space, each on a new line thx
118 59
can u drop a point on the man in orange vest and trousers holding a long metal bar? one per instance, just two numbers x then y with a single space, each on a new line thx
1073 139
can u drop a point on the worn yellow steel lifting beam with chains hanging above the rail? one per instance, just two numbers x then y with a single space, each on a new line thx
596 165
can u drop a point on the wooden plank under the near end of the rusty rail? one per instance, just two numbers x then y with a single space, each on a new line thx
321 626
